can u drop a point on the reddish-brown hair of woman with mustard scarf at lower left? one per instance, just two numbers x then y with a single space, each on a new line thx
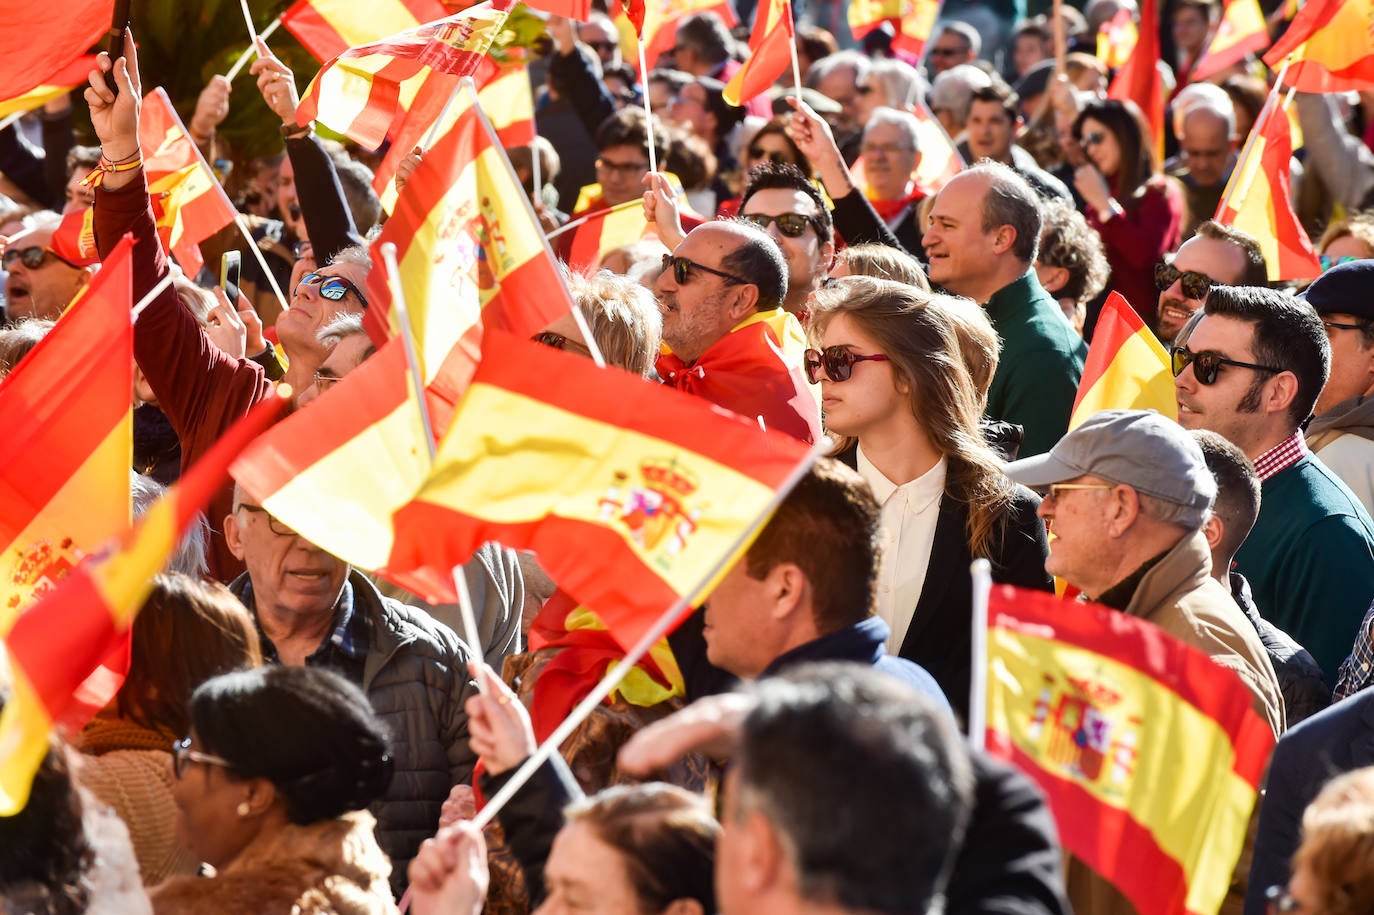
186 634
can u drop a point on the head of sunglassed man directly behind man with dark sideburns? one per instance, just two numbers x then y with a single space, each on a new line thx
1217 255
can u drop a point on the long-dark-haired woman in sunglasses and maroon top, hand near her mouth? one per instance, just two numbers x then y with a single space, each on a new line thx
1134 208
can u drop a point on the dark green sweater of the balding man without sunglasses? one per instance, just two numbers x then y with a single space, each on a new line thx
1041 366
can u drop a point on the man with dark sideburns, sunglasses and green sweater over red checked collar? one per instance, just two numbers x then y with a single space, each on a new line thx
1251 368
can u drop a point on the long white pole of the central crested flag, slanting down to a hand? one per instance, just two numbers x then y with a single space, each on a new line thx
622 670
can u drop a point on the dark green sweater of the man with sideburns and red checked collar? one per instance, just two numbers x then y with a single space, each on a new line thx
1310 561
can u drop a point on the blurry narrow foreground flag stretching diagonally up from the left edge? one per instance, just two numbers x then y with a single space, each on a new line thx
57 645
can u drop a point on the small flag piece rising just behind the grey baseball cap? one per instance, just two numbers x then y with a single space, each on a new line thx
1127 368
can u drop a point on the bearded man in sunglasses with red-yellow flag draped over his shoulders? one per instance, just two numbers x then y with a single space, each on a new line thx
730 340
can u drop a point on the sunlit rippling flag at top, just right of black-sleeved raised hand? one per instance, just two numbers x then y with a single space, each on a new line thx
369 91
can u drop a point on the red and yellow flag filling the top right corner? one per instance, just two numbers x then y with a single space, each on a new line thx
1329 47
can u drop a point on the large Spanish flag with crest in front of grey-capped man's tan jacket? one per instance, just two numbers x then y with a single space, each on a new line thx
1100 710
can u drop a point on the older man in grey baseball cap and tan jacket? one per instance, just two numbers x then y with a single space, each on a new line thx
1127 494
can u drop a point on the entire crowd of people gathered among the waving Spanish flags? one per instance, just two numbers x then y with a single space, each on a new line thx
296 734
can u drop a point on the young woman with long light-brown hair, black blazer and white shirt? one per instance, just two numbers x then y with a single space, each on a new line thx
899 394
